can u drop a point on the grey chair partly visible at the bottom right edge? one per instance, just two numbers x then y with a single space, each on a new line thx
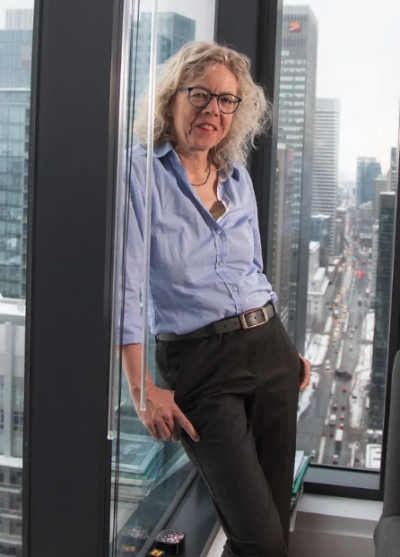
387 531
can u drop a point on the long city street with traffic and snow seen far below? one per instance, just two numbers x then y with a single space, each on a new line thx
333 393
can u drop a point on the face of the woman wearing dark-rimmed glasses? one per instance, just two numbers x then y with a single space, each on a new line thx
189 121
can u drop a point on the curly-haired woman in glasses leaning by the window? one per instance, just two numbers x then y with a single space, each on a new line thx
233 372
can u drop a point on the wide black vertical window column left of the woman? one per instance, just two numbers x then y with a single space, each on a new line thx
67 457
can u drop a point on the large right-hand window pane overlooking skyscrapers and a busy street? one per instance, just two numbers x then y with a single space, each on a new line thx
336 188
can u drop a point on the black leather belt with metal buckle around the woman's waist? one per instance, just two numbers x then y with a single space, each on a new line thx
246 320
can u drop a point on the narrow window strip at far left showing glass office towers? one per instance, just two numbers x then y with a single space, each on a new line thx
15 79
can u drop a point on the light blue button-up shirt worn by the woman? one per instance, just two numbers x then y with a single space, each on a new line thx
201 270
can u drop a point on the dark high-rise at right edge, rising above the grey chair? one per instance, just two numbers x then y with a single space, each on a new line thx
383 294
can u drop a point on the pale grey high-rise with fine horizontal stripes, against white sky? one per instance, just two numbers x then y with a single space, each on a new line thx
326 162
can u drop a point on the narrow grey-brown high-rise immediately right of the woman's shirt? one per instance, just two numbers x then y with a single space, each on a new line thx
281 258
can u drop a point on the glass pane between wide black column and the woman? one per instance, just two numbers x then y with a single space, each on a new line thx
147 498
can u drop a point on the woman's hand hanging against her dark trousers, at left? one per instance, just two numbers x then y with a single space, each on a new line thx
162 415
